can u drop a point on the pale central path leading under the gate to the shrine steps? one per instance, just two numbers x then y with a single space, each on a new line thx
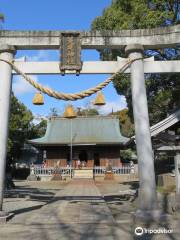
77 212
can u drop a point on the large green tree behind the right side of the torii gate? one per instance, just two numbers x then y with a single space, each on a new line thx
163 90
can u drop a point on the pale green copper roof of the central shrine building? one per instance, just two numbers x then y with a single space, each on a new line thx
85 130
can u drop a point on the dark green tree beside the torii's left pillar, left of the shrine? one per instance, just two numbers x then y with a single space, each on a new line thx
21 128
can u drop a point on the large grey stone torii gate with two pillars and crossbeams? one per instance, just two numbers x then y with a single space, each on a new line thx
134 42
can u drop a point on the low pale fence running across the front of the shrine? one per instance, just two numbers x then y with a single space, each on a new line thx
40 170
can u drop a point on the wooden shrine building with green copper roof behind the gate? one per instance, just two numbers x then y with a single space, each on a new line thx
95 141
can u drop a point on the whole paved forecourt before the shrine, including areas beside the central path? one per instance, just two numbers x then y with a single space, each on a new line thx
78 210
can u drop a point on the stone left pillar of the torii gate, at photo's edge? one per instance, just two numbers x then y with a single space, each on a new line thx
6 52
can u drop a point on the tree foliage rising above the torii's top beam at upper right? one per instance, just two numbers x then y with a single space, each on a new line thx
136 14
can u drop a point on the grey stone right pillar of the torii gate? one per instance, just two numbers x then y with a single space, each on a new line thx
147 189
